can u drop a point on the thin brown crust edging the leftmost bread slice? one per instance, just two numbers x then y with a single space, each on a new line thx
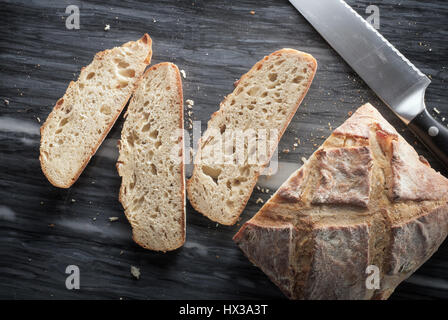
147 40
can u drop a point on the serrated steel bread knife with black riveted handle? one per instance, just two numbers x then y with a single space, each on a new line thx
396 81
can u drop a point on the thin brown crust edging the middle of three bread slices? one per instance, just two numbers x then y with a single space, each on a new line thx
182 166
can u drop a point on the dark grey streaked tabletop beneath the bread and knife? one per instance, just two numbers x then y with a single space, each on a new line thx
44 229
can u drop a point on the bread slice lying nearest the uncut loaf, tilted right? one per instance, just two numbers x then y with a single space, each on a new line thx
254 116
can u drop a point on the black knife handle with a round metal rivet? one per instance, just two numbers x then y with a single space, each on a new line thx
432 134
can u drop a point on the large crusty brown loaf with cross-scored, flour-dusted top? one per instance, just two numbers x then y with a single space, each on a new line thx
364 198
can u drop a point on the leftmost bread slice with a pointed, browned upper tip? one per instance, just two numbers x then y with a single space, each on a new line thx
85 114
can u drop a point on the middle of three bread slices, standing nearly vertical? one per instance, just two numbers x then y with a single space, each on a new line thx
151 160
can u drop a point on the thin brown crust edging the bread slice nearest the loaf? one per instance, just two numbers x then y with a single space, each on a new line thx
258 65
